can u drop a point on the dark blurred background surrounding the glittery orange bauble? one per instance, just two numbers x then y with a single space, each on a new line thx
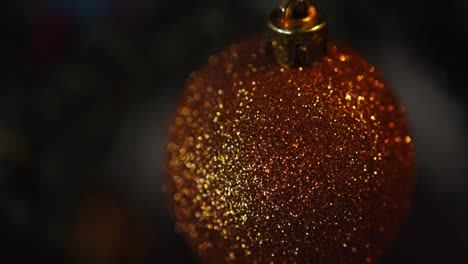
89 86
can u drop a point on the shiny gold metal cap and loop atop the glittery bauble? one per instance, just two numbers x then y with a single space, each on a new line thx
297 32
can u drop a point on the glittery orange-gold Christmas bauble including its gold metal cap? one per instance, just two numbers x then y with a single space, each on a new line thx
294 151
